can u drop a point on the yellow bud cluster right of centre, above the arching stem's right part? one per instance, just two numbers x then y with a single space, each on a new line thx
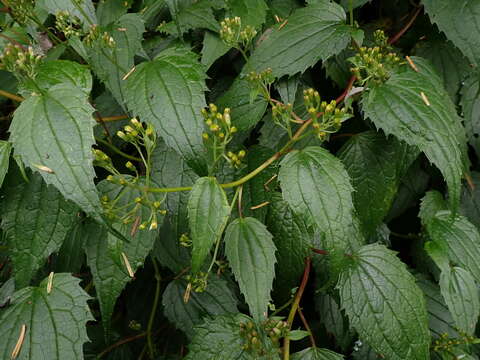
326 117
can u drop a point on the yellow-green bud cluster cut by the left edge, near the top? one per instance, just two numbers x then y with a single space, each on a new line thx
20 61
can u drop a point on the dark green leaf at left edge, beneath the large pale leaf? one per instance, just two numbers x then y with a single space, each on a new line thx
36 219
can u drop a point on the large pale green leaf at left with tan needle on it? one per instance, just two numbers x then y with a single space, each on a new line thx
53 134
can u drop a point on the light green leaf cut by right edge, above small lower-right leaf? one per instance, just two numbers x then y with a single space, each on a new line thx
461 238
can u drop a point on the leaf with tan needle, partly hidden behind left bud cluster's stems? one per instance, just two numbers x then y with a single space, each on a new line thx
106 254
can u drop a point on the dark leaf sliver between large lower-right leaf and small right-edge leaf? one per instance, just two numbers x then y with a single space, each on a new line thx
440 320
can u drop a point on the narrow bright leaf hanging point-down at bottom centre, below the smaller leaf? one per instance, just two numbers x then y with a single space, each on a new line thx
251 254
